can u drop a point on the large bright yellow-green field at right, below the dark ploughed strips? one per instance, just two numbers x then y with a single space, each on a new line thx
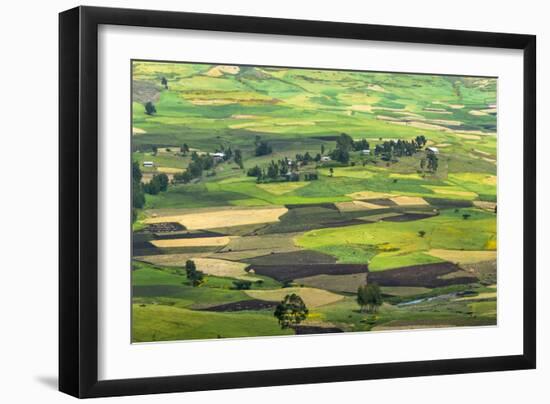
399 244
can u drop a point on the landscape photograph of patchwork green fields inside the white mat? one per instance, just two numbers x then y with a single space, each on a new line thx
280 201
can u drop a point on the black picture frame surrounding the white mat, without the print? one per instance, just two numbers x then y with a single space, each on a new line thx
78 201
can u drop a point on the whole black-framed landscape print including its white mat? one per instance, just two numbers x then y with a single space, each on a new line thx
250 201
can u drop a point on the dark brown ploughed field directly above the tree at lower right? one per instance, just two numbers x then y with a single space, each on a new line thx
428 275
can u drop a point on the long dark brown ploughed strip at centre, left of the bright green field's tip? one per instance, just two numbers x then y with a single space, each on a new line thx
286 272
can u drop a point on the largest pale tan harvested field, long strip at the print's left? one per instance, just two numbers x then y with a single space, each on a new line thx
223 218
